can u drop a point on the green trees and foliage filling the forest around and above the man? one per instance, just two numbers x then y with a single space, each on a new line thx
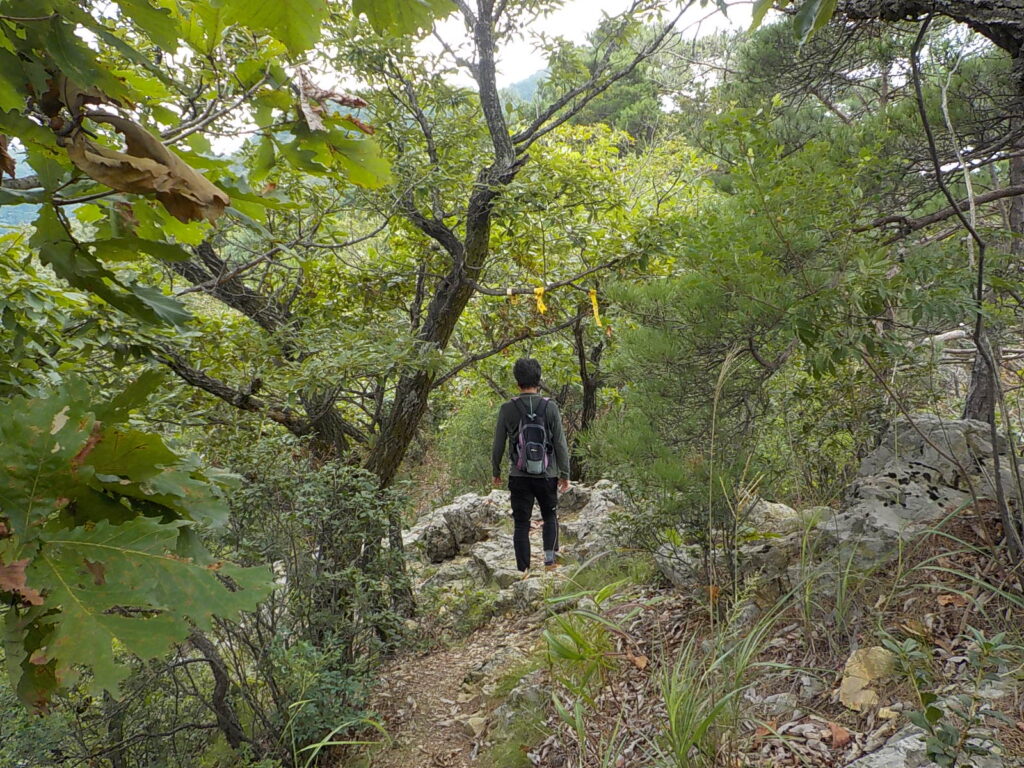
266 268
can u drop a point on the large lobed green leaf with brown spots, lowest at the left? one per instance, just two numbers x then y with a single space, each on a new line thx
124 584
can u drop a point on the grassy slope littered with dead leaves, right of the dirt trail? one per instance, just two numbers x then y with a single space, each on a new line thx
644 676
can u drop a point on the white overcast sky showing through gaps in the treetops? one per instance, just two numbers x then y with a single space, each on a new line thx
519 60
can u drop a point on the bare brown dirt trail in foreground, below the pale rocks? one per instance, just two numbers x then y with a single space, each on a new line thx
431 703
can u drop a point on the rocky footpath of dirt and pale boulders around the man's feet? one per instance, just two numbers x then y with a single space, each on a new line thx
438 707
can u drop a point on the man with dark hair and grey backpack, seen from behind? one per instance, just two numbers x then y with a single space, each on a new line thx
540 461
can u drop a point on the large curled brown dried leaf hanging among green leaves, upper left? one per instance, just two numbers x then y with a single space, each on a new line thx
148 168
